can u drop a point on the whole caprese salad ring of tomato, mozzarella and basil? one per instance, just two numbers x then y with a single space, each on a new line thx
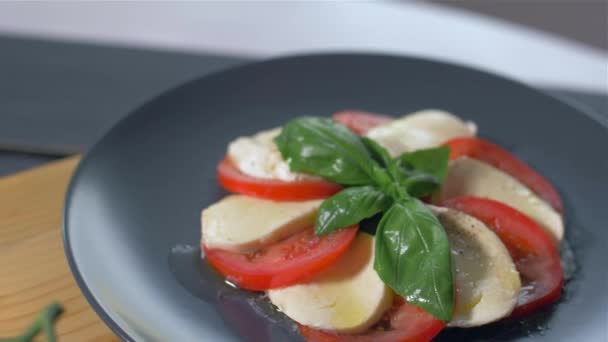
468 234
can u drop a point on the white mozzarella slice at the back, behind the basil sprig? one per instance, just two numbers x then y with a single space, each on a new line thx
420 130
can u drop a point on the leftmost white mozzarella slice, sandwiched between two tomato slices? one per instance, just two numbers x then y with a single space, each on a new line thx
242 223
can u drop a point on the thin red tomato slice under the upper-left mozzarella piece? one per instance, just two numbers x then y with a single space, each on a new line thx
232 179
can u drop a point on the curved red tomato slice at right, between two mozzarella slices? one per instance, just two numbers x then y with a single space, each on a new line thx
532 249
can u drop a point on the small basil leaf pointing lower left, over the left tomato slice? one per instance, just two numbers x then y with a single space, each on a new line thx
349 207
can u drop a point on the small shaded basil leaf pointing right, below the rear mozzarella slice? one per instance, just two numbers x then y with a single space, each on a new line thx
433 161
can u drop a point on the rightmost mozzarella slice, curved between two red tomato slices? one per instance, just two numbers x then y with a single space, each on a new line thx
467 176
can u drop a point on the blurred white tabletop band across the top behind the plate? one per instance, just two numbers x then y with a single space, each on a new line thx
264 29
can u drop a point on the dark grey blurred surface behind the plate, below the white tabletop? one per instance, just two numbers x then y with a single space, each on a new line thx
66 95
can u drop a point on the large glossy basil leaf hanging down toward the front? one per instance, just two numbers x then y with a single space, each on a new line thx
413 257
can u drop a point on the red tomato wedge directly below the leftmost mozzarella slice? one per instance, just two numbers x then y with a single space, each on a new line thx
284 263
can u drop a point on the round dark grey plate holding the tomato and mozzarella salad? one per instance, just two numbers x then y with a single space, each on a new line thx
132 210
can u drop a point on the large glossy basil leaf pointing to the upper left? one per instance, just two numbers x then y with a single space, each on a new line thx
325 148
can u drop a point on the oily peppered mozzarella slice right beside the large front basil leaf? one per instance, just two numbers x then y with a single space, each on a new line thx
486 281
